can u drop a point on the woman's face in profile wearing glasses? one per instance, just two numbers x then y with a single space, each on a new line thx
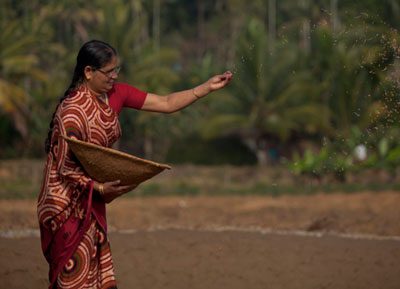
102 80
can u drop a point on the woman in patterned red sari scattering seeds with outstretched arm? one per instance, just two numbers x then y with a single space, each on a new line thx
71 209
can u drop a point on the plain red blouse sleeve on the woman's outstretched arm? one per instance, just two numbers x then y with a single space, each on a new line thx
125 95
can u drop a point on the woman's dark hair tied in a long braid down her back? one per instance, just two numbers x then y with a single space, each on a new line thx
94 53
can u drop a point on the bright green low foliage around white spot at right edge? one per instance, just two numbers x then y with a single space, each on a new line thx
338 158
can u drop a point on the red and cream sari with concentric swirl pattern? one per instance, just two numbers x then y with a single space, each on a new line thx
71 216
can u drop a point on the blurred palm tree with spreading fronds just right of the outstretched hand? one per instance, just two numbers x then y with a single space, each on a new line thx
270 101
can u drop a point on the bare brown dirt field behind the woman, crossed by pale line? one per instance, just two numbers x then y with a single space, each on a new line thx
321 241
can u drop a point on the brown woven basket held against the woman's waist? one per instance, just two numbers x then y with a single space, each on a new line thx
105 164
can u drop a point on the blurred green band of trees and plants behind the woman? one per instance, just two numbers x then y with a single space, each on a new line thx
316 85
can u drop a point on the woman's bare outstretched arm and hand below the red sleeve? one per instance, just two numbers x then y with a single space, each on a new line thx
179 100
